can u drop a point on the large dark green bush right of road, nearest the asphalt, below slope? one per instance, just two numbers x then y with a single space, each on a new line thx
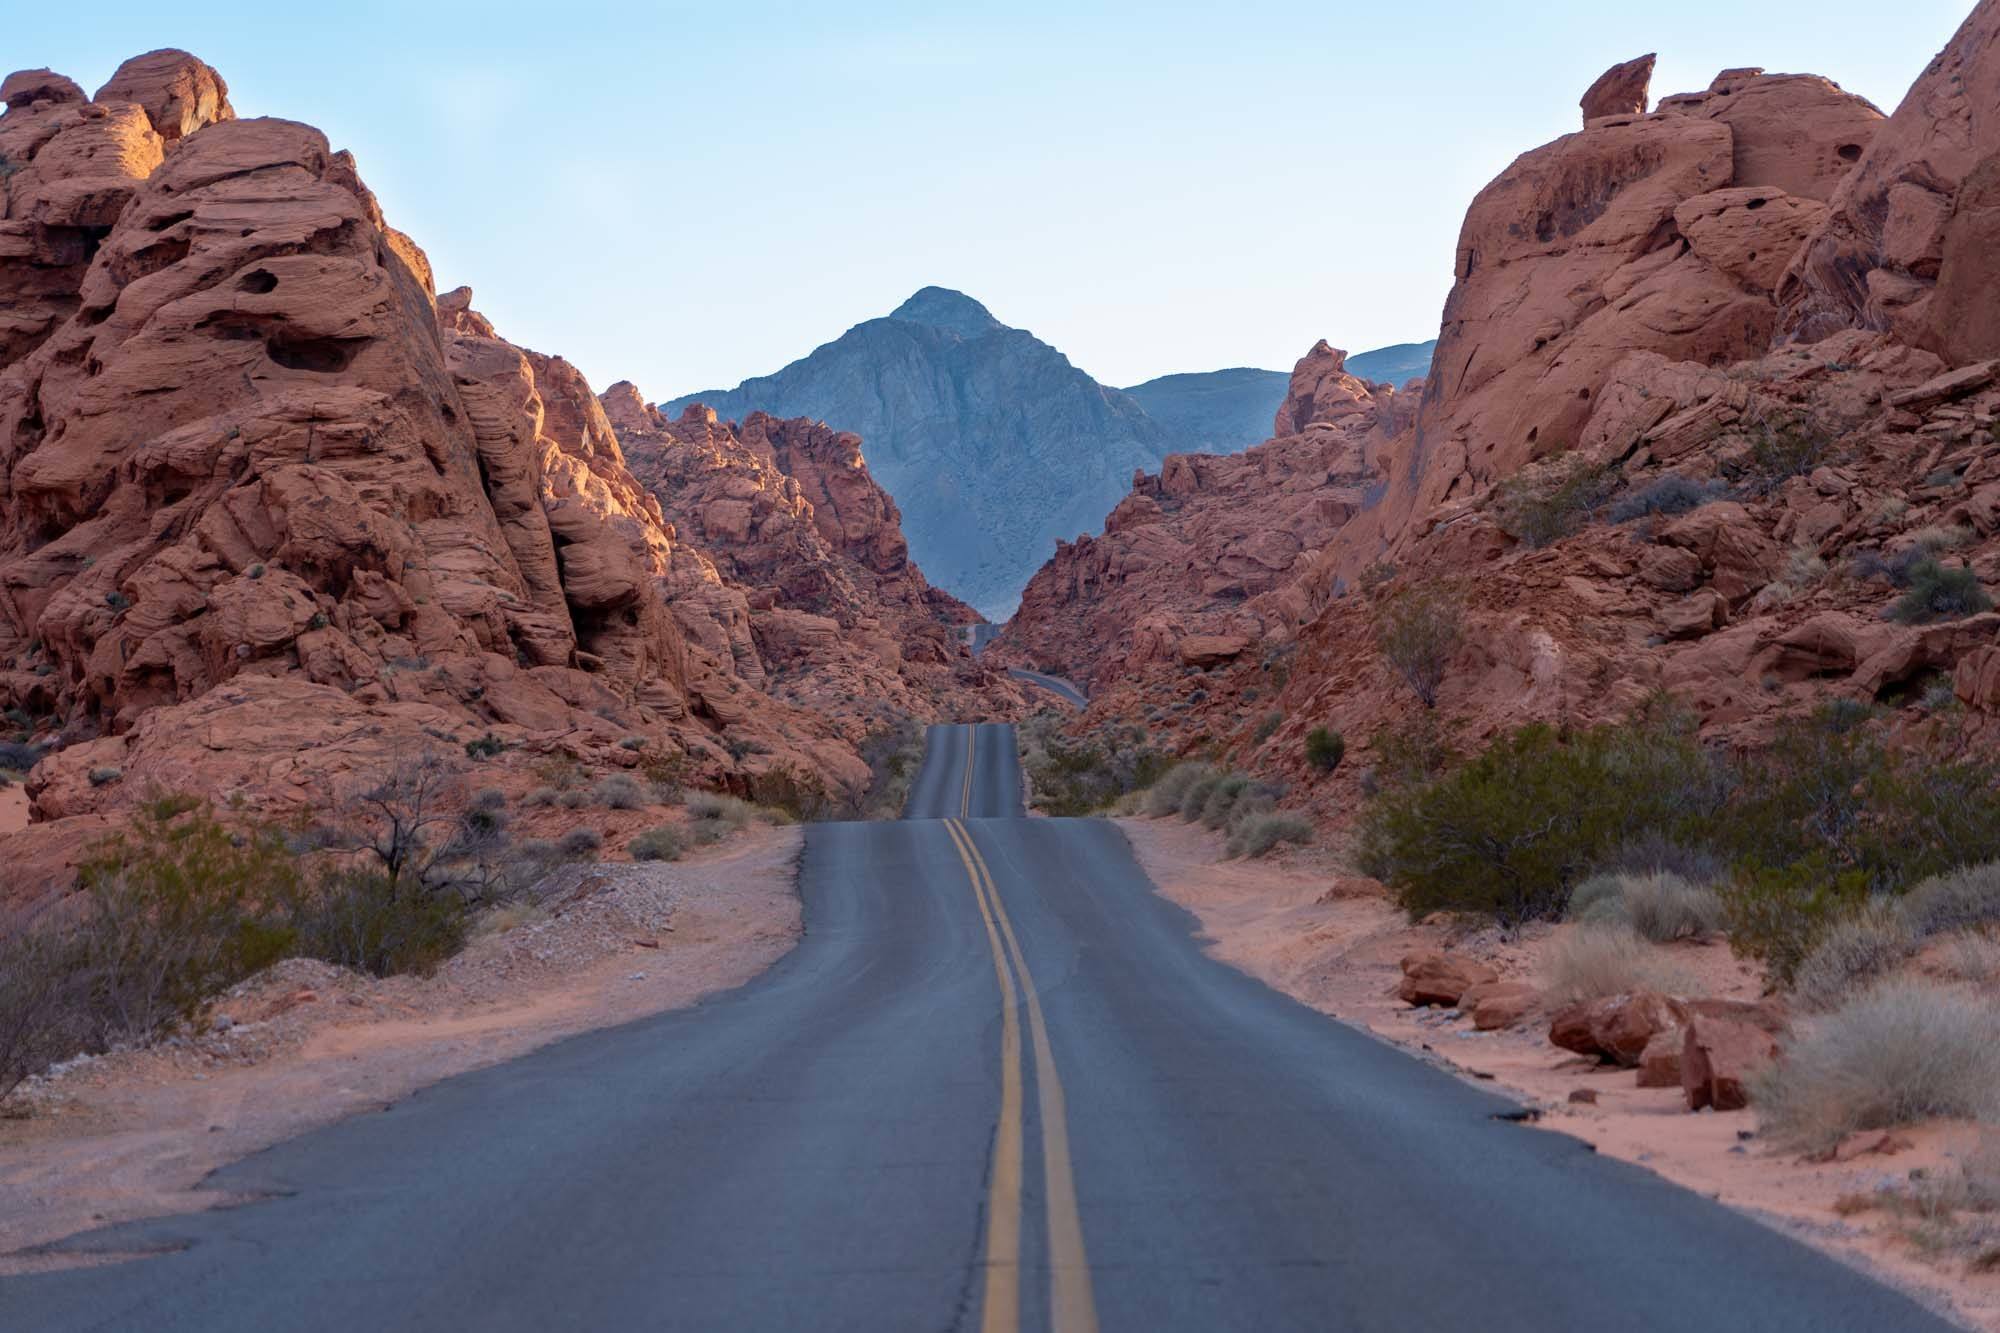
1511 832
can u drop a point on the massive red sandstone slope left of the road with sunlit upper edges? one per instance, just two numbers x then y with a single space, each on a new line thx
273 513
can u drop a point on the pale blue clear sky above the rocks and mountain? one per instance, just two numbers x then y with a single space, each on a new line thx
689 195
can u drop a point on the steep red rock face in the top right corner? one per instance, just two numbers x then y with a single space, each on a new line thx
1921 193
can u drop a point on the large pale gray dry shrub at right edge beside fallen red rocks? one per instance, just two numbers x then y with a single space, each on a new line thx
1899 1054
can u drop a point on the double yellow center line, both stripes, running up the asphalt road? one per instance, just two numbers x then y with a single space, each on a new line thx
1071 1304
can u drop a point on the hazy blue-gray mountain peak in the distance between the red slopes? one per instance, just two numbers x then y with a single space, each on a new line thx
991 441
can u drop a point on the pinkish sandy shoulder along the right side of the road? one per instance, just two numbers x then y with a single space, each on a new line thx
1335 944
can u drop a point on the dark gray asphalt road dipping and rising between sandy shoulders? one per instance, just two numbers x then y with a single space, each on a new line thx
997 1088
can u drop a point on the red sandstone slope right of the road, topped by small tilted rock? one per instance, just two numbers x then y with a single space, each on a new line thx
1767 295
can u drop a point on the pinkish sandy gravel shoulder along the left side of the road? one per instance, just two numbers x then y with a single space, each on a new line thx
135 1134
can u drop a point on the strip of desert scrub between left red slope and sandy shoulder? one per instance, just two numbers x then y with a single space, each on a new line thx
413 864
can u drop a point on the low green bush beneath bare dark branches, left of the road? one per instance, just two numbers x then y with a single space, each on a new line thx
381 926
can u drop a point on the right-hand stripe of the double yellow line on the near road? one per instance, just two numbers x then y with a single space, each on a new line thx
1071 1302
